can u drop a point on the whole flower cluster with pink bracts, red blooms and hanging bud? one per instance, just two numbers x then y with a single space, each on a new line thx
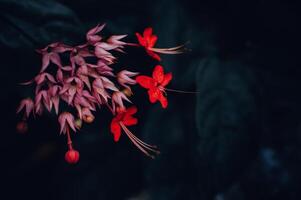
87 81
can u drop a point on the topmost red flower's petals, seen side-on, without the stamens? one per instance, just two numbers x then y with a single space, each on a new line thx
148 41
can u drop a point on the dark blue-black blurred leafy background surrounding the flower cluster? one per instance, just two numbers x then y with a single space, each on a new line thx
238 138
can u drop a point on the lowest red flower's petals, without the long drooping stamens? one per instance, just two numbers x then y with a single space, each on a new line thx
125 118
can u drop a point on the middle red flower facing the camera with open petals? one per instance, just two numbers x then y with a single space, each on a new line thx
156 85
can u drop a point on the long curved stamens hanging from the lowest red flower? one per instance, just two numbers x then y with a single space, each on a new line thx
138 143
